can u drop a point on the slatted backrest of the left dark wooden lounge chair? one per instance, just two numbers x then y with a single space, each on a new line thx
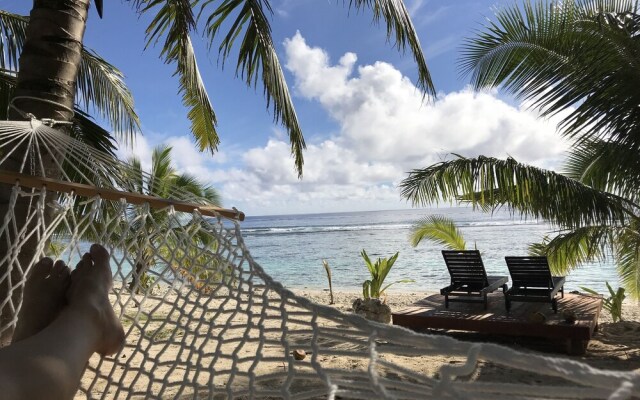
465 266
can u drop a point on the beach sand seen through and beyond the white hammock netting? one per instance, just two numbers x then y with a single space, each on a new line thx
166 329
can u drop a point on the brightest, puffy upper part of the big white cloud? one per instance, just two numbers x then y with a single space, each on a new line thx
383 118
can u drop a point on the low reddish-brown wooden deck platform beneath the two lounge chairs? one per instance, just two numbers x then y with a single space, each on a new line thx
431 313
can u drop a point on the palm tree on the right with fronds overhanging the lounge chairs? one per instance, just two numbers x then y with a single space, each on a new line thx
556 55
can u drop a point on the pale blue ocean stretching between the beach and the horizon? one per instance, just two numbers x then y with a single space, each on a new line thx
291 247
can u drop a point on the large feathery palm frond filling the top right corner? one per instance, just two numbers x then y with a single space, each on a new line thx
558 55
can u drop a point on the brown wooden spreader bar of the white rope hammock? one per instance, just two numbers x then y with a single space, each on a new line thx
81 189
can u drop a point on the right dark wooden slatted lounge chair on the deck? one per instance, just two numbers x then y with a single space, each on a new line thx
532 281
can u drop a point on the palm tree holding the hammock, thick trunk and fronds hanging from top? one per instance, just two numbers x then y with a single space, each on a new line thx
49 64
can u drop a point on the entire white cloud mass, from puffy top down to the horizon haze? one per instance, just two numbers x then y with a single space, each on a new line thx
385 130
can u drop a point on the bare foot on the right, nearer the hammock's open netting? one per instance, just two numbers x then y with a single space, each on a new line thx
88 294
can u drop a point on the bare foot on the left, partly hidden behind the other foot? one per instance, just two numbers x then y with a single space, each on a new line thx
43 297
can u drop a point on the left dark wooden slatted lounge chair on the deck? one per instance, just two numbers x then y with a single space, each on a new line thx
469 280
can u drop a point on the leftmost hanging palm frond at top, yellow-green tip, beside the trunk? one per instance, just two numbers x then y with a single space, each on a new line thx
174 21
